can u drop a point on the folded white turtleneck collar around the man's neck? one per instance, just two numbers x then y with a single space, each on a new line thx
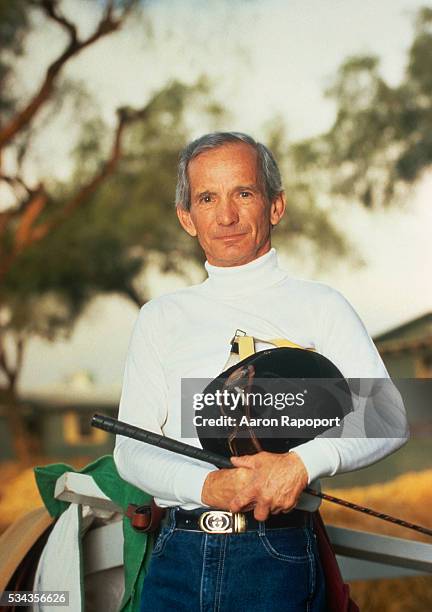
248 278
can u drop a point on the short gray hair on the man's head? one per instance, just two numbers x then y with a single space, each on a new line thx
268 169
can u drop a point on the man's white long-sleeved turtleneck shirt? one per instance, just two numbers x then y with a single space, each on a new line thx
187 333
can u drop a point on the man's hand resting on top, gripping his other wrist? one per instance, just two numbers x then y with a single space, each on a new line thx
275 486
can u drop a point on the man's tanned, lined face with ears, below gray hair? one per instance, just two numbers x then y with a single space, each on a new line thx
229 211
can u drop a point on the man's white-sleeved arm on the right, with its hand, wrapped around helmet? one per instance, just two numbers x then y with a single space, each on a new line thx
279 479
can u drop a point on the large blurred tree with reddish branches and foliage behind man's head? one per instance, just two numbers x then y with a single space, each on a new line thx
63 243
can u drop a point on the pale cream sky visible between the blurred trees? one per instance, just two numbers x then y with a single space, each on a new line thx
266 58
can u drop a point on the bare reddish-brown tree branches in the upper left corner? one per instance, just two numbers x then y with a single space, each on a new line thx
22 224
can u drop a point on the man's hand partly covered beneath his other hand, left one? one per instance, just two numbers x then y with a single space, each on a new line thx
221 486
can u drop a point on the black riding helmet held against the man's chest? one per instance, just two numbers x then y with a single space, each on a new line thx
308 386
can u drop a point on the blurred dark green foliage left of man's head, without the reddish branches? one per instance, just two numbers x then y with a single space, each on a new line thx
105 245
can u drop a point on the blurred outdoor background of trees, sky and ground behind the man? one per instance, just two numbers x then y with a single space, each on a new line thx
98 97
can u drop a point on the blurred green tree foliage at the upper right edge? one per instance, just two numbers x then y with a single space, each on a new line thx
380 141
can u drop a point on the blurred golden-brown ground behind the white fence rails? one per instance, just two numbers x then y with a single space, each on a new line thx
408 496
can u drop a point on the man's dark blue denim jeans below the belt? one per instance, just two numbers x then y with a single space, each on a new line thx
257 571
